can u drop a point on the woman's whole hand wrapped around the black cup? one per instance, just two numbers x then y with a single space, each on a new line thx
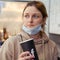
25 56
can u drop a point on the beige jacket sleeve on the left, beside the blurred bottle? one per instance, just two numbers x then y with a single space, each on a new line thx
6 50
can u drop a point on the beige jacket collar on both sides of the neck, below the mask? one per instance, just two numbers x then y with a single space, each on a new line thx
42 40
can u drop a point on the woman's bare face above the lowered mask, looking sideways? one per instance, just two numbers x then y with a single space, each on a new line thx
32 17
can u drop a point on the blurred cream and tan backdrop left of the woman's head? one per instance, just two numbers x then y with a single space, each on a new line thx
10 16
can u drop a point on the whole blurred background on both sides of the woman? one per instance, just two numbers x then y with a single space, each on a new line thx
11 21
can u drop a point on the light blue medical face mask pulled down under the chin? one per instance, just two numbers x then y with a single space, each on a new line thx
32 31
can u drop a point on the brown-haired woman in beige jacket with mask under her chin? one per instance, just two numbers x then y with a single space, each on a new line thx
34 19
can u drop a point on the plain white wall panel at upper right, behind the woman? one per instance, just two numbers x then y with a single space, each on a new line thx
55 17
